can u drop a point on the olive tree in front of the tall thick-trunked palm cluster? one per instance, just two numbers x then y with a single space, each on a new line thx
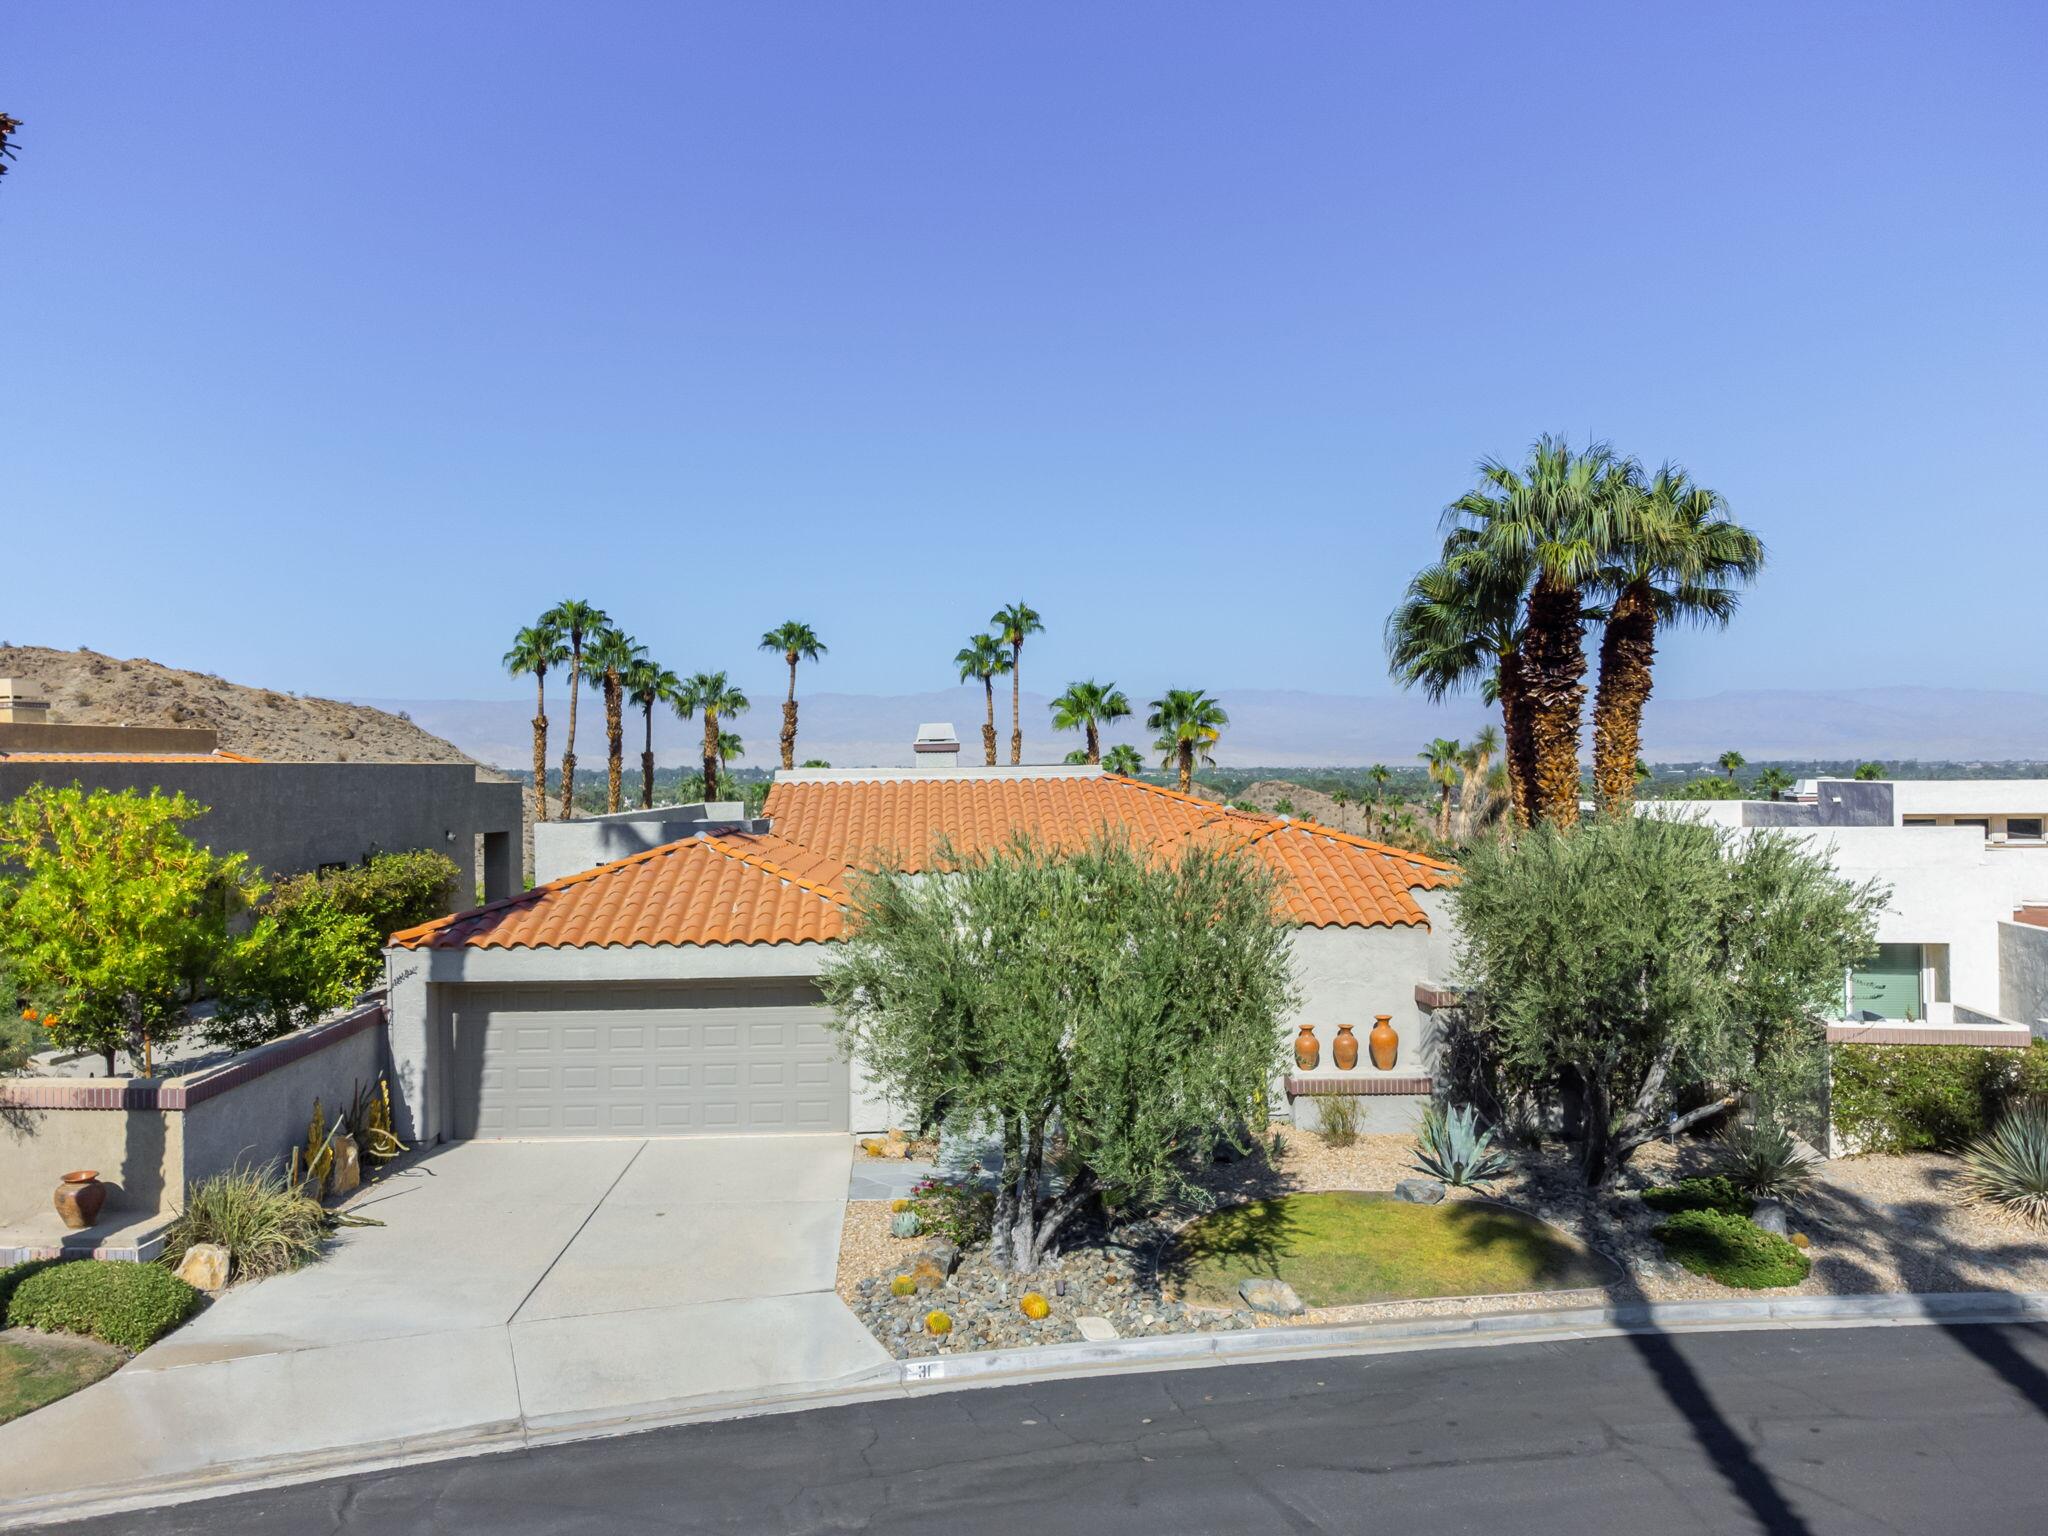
1652 972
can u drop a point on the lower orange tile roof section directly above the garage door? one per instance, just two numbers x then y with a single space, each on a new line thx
730 890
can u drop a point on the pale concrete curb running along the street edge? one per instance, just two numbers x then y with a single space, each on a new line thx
904 1379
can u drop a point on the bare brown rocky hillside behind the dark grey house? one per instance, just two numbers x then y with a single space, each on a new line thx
91 689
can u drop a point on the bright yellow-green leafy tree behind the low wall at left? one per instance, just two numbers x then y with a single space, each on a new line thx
112 919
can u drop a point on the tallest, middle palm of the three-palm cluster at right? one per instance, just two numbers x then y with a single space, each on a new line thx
1549 521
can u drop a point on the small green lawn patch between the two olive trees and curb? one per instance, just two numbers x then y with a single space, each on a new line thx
1351 1248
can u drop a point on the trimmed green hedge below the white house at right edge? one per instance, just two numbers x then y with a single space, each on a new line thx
1891 1099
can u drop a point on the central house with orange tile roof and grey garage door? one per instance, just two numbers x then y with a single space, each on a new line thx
675 992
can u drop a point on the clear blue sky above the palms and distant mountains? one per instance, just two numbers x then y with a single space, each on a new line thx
343 339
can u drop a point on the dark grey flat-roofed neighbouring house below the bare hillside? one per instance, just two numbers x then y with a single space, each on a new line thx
290 818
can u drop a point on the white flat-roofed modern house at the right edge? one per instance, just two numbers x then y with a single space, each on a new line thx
1965 861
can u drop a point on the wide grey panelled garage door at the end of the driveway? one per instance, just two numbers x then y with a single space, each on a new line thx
644 1062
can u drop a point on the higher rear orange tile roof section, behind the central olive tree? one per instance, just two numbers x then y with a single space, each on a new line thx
1330 880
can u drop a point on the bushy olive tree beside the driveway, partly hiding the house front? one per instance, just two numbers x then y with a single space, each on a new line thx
1107 1015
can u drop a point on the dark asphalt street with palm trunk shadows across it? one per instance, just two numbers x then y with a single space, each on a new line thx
1818 1431
